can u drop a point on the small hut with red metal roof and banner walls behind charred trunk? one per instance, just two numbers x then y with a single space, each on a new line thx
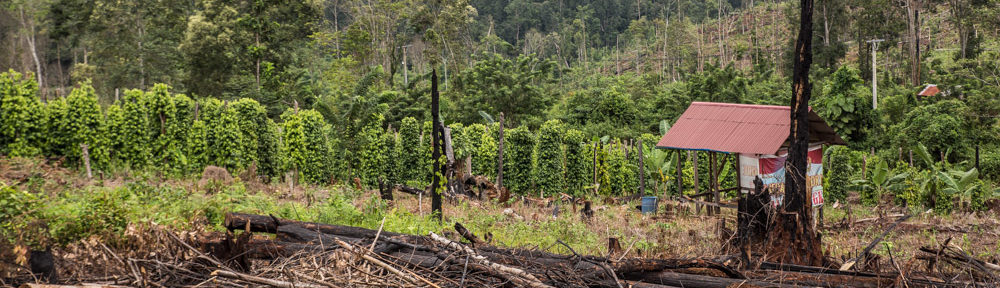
758 134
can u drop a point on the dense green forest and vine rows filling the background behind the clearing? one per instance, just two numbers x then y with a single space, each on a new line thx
341 89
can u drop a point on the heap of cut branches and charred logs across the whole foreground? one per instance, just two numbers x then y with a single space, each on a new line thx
266 251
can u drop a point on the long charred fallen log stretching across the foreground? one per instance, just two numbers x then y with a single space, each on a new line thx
532 268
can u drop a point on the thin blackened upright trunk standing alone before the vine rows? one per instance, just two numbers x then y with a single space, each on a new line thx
437 135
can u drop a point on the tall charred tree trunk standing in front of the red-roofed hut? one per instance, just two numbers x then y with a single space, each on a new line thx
794 240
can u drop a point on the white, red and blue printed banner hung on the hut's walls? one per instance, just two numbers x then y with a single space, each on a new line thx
771 169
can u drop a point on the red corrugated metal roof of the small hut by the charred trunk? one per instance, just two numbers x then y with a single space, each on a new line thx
739 128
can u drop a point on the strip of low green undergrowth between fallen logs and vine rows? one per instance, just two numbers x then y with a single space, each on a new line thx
48 219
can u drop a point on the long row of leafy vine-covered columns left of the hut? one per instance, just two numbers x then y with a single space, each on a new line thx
172 133
